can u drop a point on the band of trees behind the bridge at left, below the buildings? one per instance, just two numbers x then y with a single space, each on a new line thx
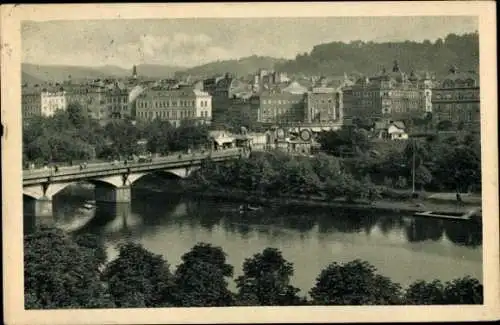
71 135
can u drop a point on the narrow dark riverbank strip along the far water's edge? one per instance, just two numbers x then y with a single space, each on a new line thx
426 203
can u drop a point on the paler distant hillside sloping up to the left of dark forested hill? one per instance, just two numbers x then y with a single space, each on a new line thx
241 67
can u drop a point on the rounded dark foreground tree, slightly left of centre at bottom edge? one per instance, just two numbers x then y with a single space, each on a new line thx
200 279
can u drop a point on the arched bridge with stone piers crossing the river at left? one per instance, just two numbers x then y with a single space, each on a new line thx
112 180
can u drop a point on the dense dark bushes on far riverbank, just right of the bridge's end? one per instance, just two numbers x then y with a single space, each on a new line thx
278 174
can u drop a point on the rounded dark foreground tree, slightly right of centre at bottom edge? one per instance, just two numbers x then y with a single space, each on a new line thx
266 280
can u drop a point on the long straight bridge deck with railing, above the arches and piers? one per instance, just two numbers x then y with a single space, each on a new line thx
106 169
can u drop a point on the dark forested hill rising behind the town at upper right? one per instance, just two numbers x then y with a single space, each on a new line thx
337 58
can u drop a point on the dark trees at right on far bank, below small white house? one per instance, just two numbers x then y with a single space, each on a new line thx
450 163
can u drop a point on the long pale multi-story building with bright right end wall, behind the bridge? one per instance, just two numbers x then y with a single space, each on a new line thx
174 105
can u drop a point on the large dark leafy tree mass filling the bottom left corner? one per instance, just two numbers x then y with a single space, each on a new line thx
58 273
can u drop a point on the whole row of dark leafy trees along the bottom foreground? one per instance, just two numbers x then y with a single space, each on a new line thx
64 271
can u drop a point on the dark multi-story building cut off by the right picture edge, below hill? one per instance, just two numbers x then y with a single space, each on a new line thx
457 99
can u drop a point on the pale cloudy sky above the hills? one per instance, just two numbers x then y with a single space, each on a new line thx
191 42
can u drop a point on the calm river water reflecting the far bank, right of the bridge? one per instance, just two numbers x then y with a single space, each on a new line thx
401 247
